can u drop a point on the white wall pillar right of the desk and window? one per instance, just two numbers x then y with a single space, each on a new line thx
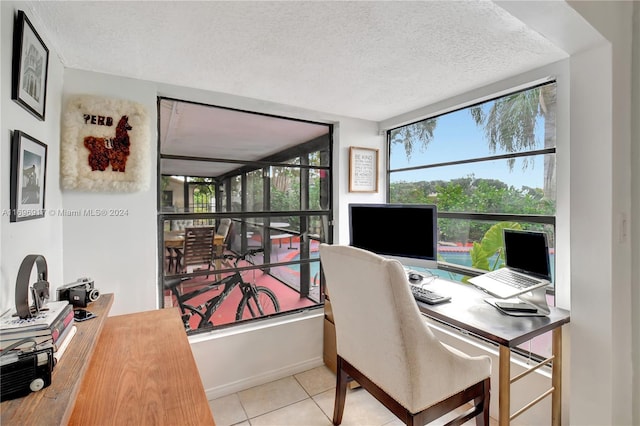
601 278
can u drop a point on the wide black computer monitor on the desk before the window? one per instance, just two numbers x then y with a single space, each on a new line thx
405 232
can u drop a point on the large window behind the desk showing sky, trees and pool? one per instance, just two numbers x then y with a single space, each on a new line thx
487 166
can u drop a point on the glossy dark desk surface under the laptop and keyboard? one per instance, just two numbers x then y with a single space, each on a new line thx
468 311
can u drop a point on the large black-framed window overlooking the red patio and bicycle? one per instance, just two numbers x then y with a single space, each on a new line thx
260 186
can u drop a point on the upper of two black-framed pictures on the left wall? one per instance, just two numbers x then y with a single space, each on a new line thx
30 66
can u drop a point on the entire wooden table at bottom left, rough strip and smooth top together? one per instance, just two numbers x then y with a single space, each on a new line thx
127 369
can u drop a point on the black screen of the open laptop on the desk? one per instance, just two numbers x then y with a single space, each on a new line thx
527 252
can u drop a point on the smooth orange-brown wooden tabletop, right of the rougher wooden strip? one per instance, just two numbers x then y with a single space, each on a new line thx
142 373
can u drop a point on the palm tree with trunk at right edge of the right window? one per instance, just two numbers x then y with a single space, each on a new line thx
510 123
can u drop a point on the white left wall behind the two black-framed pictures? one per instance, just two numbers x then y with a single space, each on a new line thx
36 236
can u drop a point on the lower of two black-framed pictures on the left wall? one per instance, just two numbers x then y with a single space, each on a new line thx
28 177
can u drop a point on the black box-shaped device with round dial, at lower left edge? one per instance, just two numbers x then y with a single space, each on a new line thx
23 372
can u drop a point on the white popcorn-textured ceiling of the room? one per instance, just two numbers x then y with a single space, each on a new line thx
370 60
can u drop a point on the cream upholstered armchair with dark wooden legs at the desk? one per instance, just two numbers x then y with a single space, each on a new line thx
384 343
